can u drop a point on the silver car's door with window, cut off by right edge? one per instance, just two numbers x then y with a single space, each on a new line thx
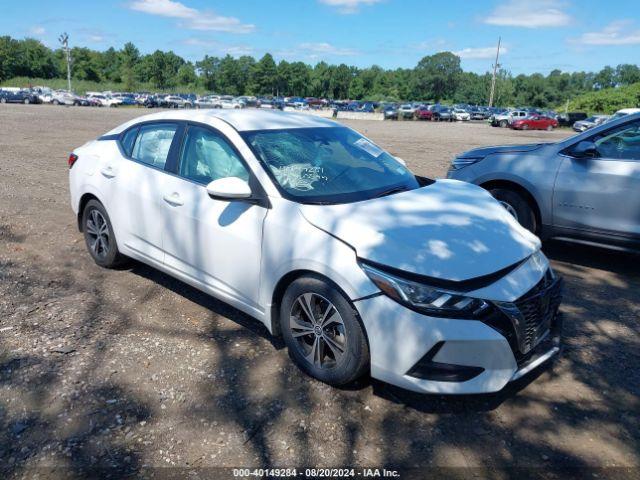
602 194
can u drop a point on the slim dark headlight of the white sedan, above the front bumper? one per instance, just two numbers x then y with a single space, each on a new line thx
426 299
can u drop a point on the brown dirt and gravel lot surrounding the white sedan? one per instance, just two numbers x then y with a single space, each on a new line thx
132 370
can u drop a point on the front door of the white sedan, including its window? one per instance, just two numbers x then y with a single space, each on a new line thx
215 243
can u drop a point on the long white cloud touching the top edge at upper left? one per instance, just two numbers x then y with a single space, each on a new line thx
191 18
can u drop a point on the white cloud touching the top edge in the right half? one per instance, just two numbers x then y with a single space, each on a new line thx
543 13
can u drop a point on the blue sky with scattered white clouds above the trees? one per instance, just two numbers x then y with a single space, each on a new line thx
537 35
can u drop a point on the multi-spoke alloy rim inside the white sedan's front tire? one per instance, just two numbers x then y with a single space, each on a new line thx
318 330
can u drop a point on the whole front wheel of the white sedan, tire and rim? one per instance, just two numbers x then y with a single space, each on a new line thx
322 332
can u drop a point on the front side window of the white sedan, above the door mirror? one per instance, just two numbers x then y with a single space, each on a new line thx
206 156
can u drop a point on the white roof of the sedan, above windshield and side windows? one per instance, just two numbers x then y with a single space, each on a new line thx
240 119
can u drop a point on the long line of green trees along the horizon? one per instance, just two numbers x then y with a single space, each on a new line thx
437 77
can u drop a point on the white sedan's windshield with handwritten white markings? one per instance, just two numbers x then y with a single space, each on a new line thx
328 165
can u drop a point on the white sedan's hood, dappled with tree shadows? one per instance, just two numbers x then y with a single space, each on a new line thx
449 230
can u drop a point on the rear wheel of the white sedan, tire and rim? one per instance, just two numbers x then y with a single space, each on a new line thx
99 237
